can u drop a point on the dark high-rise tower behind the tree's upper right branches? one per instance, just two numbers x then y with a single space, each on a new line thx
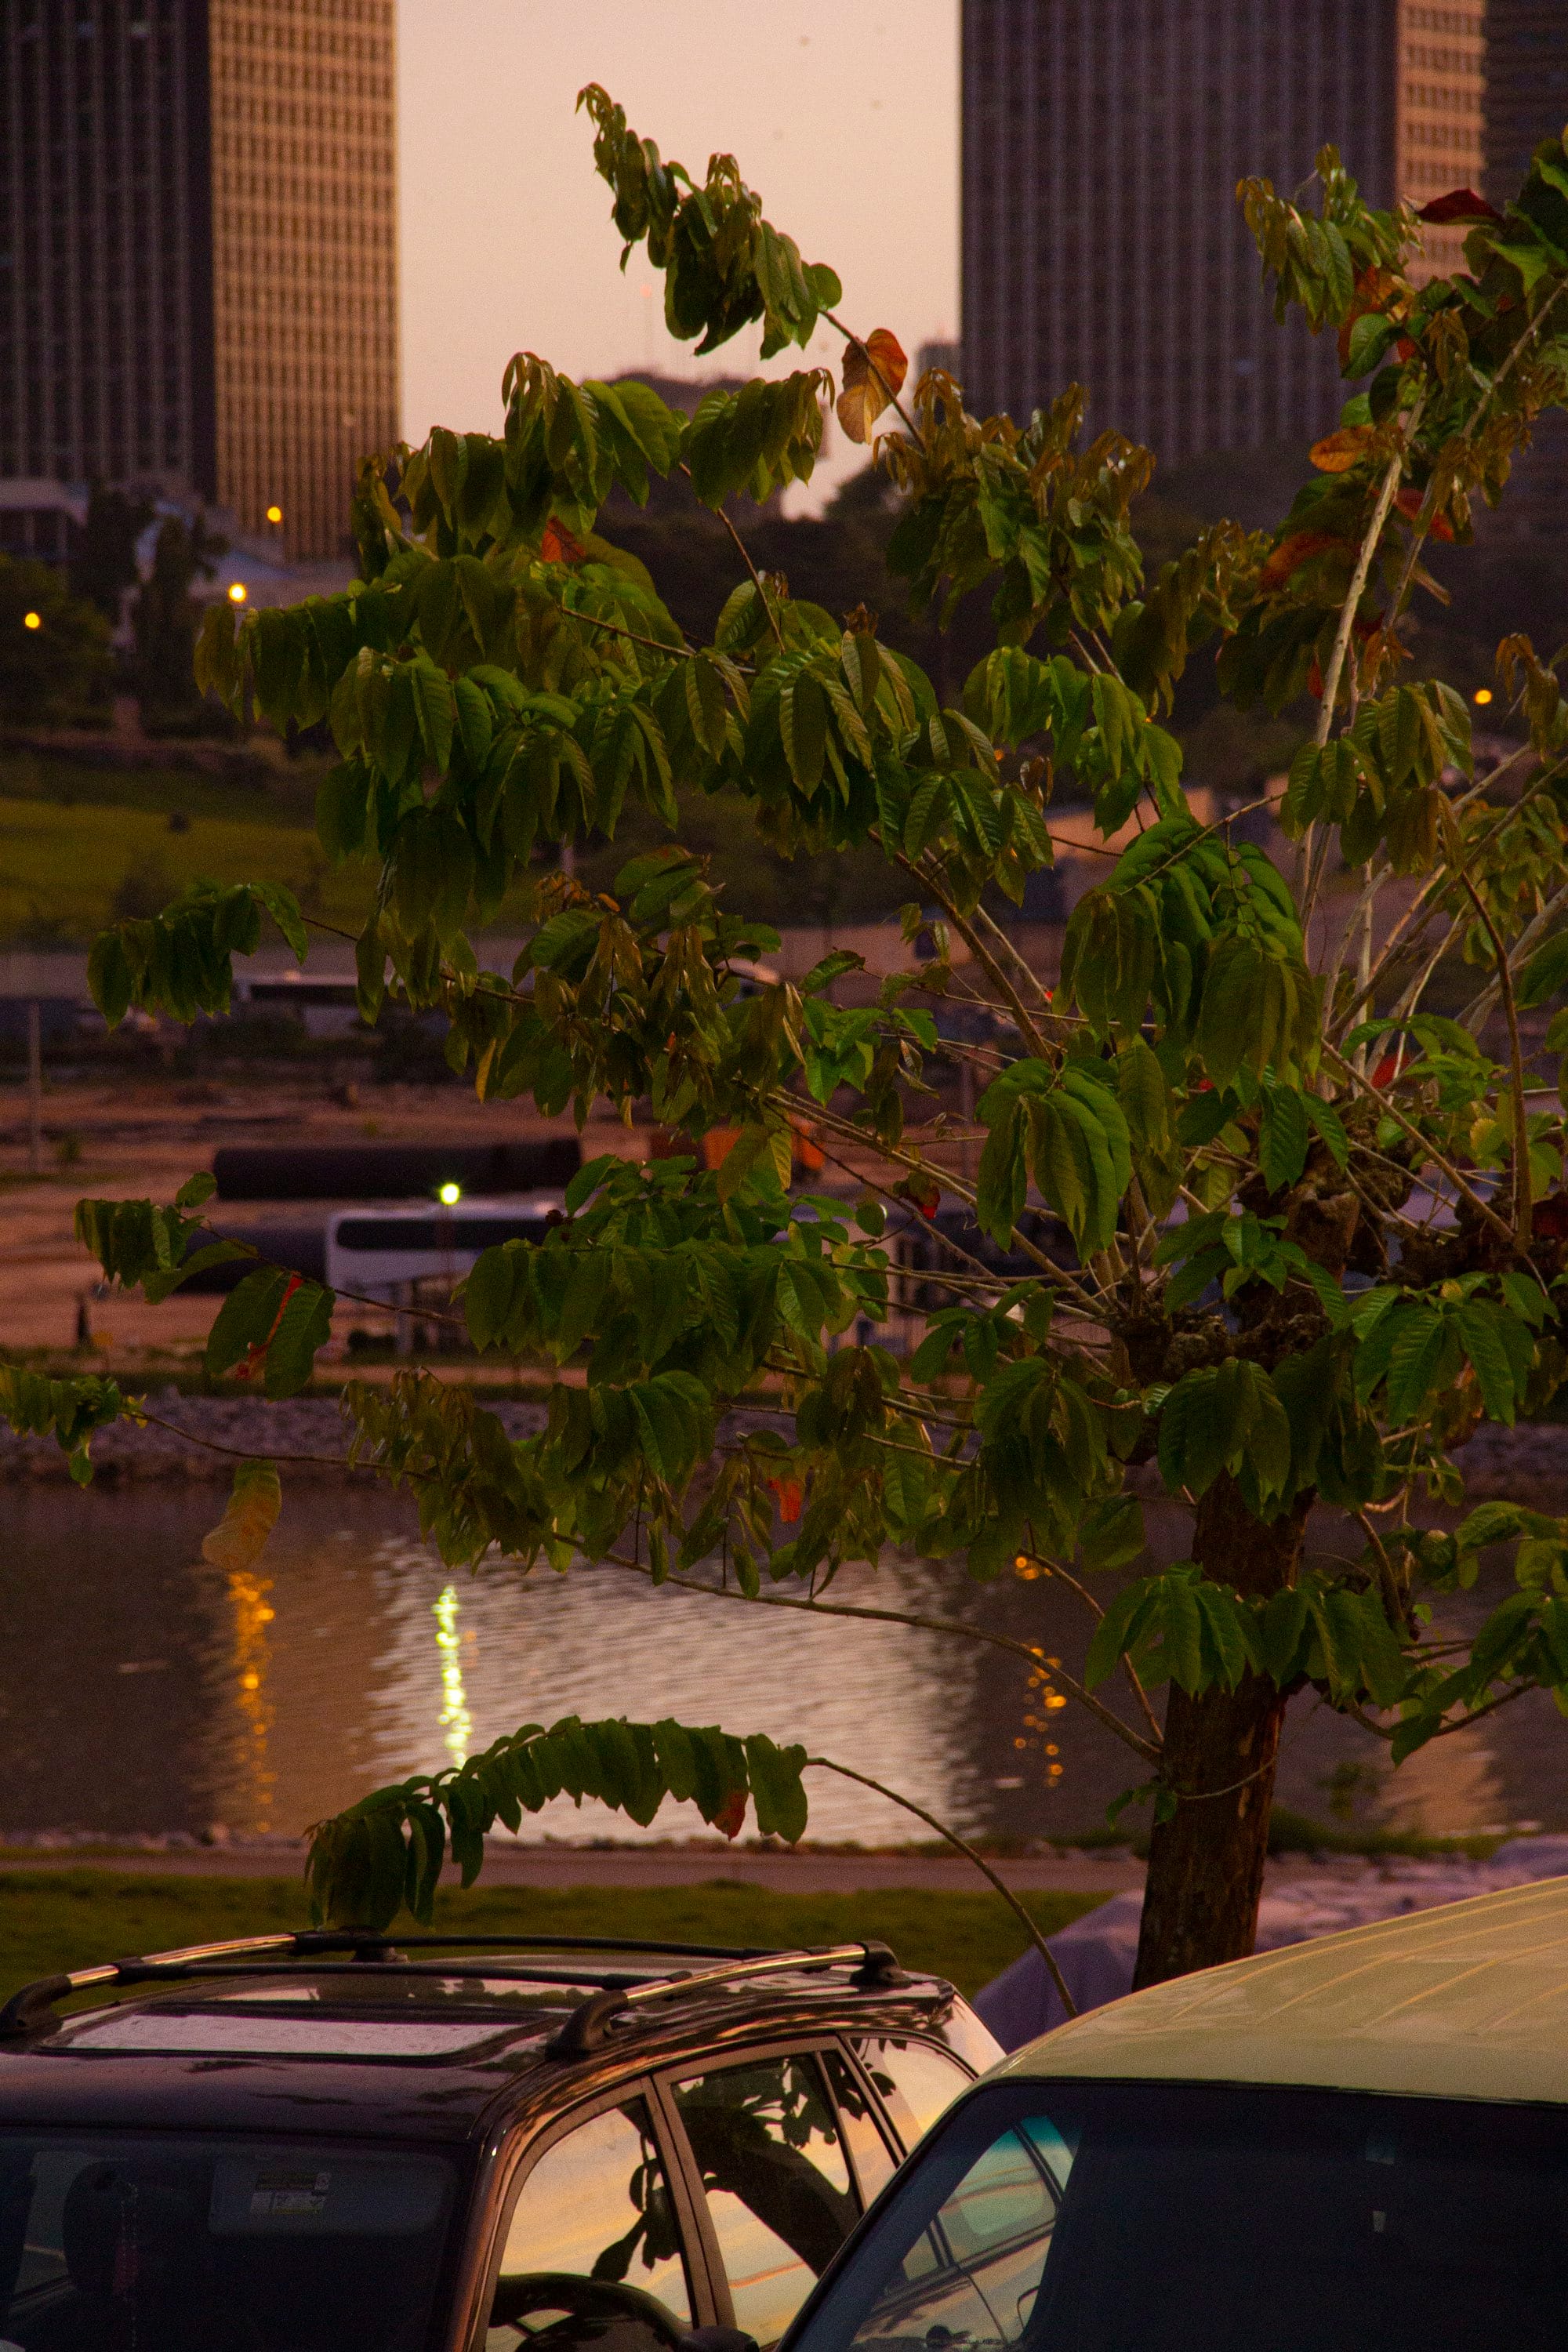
1104 243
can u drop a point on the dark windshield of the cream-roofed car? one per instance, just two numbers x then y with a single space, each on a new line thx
1132 2217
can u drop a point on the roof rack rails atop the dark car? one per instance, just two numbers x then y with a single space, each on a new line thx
32 2007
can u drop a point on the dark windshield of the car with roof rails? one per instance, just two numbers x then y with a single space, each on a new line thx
217 2245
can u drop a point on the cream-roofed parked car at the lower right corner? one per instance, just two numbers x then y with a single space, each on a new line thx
1348 2146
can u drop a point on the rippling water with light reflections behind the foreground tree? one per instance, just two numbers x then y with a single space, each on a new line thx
142 1690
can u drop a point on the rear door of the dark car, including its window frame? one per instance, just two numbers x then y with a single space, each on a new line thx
779 2172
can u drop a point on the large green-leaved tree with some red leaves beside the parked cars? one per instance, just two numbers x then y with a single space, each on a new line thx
1318 1234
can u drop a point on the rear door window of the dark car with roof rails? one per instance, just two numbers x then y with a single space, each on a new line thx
779 2191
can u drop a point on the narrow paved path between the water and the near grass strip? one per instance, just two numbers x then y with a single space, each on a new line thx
629 1866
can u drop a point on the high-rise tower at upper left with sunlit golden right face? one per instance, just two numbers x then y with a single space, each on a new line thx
199 250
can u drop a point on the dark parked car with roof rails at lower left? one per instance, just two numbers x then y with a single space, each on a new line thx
333 2144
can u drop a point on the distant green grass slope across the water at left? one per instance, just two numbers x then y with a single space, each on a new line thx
72 869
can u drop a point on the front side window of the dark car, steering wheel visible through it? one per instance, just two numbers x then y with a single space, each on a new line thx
594 2245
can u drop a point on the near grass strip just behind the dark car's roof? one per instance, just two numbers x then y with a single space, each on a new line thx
72 1918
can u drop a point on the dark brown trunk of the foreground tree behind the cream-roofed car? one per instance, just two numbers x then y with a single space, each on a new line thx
1207 1862
